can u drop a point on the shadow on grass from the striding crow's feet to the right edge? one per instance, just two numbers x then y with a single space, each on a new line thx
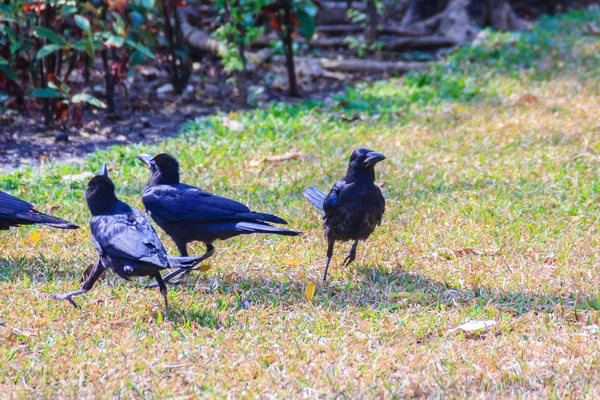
361 289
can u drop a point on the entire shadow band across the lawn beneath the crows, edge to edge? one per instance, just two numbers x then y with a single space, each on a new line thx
362 288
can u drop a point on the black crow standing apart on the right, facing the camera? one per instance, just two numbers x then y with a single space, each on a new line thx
354 206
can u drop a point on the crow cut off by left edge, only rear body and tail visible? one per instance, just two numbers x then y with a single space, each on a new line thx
15 212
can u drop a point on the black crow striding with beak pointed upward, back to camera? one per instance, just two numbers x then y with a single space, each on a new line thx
125 240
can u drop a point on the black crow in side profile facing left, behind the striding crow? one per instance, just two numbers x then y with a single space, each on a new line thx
188 214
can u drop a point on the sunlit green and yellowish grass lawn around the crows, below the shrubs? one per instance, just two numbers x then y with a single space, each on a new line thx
497 150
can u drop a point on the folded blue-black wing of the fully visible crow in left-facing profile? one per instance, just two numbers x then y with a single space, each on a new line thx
180 202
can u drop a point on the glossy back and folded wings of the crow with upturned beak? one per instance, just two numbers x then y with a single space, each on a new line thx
130 236
